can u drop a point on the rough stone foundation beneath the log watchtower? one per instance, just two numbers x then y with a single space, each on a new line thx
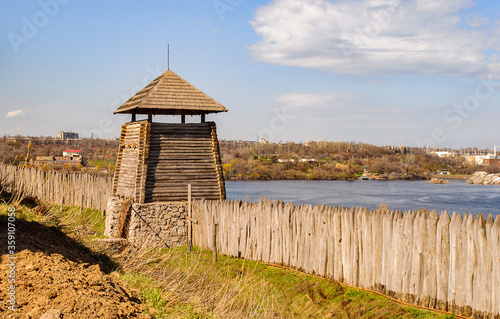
147 225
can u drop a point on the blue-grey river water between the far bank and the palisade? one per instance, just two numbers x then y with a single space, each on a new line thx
458 196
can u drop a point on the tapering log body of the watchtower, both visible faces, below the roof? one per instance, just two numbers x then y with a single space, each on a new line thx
156 162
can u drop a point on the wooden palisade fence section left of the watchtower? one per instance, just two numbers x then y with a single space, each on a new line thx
86 190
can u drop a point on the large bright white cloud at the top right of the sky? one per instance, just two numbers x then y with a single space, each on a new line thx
377 36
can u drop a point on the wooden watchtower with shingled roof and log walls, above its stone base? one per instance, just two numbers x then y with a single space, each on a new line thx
157 161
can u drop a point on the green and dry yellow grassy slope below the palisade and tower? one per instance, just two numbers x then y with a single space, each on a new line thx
177 284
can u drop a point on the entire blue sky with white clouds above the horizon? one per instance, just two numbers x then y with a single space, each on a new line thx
384 72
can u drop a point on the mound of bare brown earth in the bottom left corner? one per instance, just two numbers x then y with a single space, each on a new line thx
56 278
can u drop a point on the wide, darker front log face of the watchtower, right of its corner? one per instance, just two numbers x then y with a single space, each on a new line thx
182 154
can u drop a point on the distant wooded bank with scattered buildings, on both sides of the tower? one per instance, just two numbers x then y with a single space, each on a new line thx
250 160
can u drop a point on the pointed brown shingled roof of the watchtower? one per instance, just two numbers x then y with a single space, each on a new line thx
172 95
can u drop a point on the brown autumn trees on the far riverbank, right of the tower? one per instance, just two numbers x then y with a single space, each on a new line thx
331 161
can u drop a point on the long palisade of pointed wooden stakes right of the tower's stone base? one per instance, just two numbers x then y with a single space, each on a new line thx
420 258
